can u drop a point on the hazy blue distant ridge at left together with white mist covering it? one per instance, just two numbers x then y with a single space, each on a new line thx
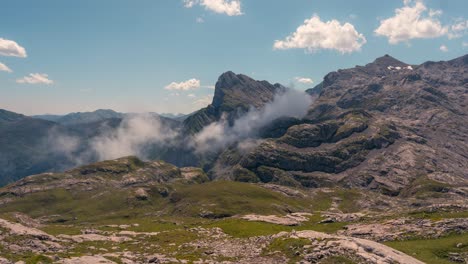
34 145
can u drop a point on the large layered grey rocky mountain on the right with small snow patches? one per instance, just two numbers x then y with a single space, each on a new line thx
381 126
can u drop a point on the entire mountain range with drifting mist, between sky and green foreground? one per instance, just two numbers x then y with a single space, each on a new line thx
368 127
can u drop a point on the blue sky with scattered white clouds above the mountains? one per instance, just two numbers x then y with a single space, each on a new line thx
165 55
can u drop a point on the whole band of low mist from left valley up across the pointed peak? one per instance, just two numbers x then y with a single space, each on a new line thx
143 135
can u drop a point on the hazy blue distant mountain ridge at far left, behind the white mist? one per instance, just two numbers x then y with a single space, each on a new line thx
31 145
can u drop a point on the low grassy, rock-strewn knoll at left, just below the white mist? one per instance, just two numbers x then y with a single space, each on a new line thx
123 173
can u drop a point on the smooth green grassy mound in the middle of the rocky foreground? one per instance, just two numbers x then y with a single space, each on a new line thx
226 198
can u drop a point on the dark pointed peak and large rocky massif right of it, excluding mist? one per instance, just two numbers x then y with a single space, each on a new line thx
386 126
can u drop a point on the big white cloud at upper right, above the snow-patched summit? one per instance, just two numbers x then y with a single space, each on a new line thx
411 22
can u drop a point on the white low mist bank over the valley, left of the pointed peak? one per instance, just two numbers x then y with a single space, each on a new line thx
137 134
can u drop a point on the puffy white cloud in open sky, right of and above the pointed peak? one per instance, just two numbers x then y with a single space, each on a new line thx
315 34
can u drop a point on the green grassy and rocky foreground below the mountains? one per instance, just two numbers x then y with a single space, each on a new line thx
132 211
